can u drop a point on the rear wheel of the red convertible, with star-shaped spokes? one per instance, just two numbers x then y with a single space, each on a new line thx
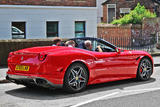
76 78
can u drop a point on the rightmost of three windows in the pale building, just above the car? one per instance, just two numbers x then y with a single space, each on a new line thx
79 29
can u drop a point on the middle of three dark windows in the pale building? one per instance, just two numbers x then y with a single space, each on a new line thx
52 29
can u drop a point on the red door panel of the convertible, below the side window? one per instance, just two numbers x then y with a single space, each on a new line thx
106 63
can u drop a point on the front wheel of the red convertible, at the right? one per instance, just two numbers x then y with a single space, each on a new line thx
145 69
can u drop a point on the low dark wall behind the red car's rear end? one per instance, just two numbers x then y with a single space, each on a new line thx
7 46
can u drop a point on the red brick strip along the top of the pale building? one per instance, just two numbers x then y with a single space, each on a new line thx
83 3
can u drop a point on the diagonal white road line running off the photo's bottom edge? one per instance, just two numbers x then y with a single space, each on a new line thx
96 99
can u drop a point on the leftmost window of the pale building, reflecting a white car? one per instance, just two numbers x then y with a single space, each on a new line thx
18 30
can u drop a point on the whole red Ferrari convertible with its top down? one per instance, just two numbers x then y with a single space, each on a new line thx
75 68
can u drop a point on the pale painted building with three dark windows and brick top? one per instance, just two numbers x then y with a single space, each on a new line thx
33 19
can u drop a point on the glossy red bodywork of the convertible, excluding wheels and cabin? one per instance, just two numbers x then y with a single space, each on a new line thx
50 63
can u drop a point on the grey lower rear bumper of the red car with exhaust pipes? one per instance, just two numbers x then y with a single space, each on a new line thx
29 80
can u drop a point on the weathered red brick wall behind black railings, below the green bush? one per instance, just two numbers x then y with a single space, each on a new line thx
141 35
